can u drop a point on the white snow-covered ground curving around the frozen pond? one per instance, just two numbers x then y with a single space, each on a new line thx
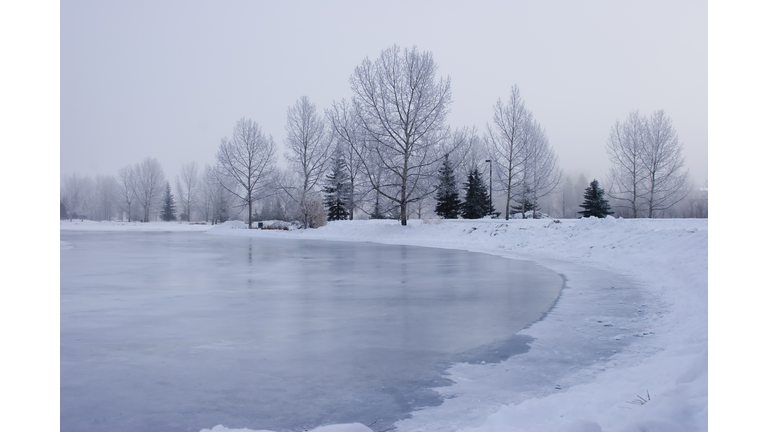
656 314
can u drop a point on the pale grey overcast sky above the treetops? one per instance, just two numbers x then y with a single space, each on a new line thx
169 79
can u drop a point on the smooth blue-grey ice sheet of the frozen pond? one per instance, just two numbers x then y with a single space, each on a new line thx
184 331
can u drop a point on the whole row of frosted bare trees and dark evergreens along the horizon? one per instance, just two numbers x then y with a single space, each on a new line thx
387 152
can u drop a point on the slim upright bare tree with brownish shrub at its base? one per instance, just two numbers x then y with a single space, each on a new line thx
308 153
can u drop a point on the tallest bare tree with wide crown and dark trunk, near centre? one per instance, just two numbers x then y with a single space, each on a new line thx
402 107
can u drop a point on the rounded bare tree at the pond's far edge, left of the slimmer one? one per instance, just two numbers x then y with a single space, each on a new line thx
245 162
